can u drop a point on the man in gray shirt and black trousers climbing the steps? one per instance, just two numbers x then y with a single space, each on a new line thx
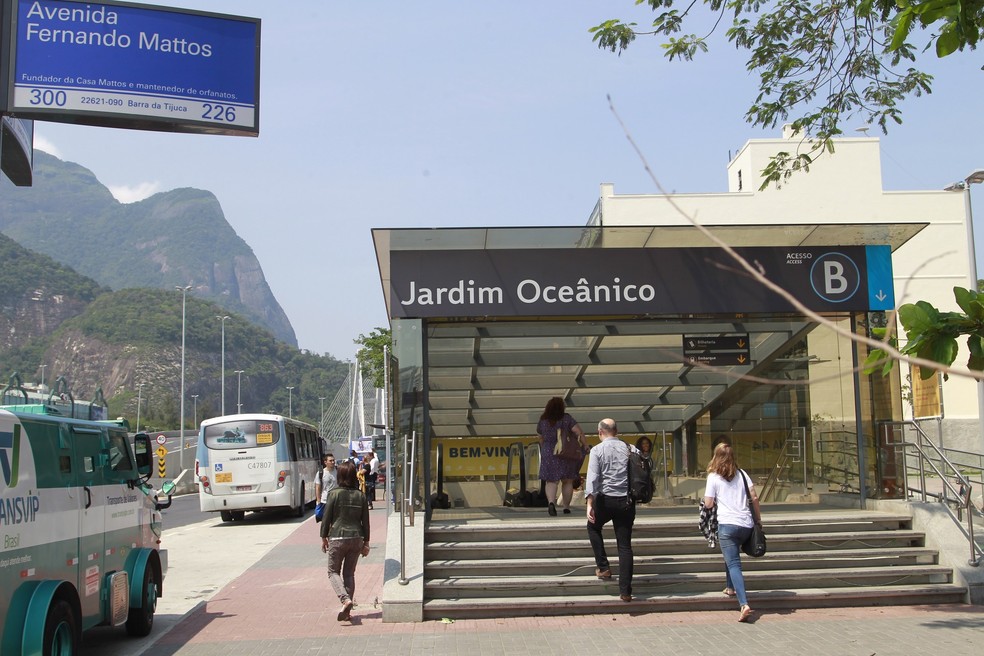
607 492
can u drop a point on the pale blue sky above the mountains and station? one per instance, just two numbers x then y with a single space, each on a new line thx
463 113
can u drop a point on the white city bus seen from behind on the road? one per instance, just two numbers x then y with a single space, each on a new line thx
256 462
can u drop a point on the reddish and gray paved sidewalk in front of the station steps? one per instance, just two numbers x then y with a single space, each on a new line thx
284 605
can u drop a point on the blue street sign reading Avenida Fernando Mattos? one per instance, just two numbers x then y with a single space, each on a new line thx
132 66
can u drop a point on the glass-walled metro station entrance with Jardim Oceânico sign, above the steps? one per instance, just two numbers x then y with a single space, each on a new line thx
676 344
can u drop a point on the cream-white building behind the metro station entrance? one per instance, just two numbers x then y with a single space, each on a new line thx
841 187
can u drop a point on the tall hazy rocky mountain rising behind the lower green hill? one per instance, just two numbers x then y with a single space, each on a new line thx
173 238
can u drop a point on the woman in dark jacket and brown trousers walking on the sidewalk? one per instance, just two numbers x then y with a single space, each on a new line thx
345 535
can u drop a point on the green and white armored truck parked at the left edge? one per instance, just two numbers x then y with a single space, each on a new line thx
80 531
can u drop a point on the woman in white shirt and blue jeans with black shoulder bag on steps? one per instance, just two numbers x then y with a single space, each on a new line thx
726 491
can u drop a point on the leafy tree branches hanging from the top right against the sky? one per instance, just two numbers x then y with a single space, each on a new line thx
826 61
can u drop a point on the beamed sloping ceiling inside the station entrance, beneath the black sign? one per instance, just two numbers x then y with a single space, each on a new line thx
493 379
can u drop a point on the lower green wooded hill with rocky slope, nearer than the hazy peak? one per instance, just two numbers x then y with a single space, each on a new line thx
128 343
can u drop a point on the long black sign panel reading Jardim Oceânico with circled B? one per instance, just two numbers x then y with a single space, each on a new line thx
574 282
